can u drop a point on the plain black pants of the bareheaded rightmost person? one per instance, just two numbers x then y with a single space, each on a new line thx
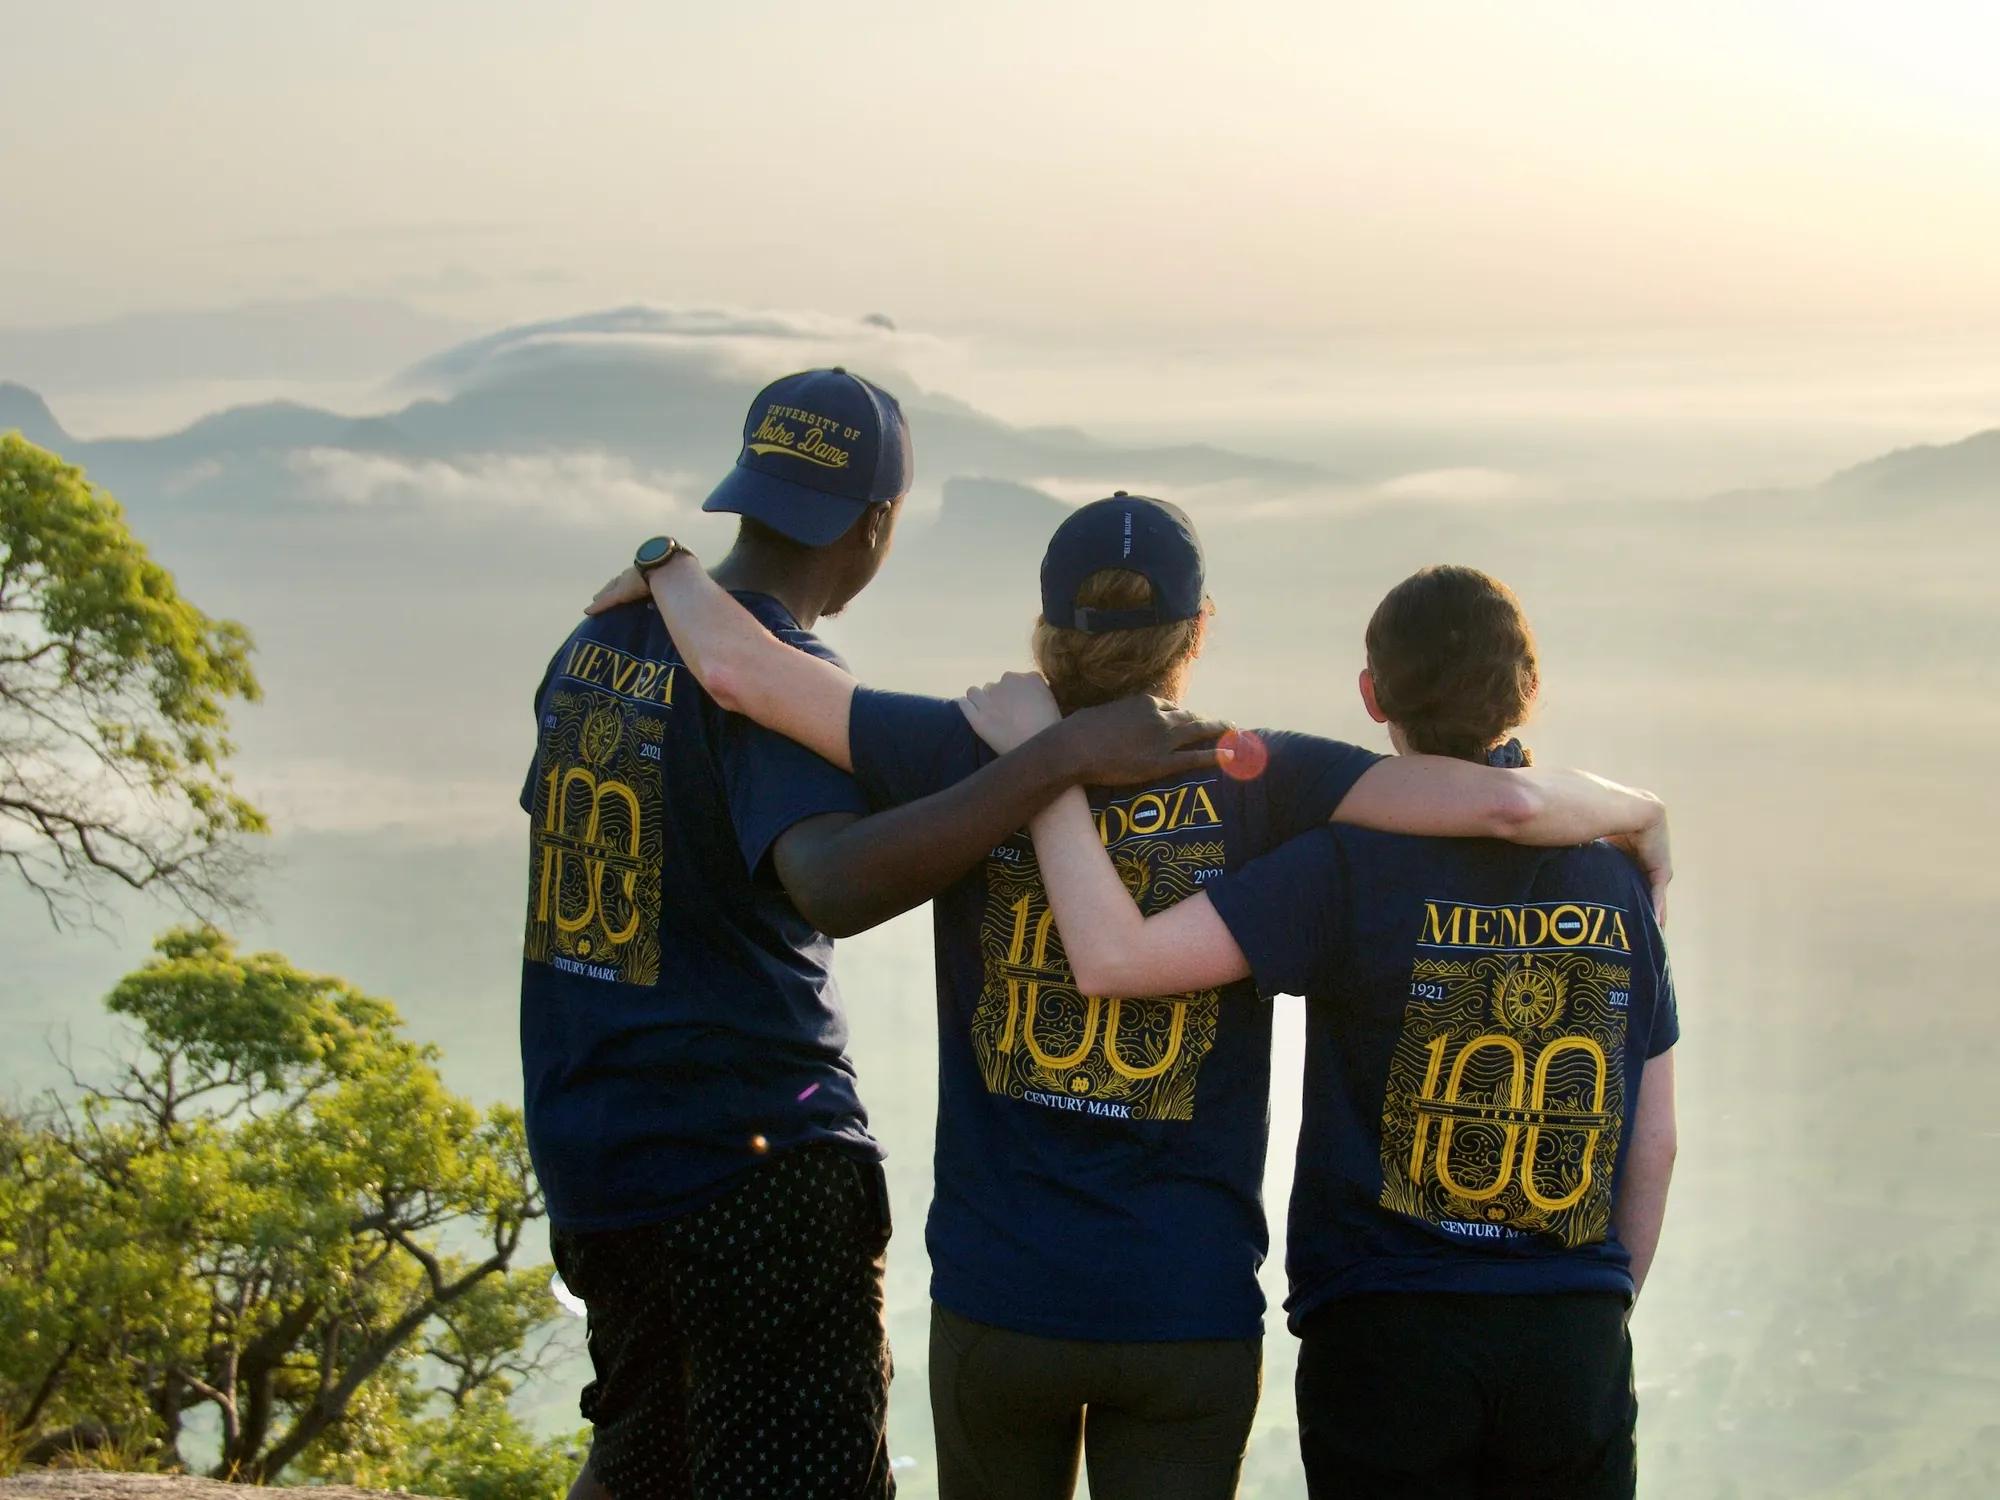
1469 1397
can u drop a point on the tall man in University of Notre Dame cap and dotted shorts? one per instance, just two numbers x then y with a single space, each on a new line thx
715 1195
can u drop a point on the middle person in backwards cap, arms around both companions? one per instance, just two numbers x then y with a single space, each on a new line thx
1097 1223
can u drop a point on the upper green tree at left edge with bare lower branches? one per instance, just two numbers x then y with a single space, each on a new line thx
115 701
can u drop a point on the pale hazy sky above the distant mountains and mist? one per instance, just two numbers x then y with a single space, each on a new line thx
1275 171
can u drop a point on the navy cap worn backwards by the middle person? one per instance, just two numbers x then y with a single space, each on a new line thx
1129 531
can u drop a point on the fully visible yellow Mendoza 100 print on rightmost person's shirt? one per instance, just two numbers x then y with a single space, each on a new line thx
1507 1089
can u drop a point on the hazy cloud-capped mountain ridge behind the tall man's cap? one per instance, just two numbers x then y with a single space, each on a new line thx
661 391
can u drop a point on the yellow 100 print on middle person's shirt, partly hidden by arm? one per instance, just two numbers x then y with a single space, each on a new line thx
1037 1037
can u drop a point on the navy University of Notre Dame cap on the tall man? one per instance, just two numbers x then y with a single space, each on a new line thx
819 449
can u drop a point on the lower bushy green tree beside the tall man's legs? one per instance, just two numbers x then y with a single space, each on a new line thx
279 1213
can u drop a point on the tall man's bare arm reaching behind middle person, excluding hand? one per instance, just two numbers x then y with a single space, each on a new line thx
893 861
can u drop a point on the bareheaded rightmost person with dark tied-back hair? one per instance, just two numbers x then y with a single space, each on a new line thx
1489 1117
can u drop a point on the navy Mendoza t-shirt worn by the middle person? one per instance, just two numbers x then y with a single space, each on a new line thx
1099 1163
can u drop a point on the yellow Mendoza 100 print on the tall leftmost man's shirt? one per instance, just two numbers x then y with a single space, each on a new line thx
599 837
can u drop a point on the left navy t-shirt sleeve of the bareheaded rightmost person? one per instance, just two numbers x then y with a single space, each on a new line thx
1287 913
